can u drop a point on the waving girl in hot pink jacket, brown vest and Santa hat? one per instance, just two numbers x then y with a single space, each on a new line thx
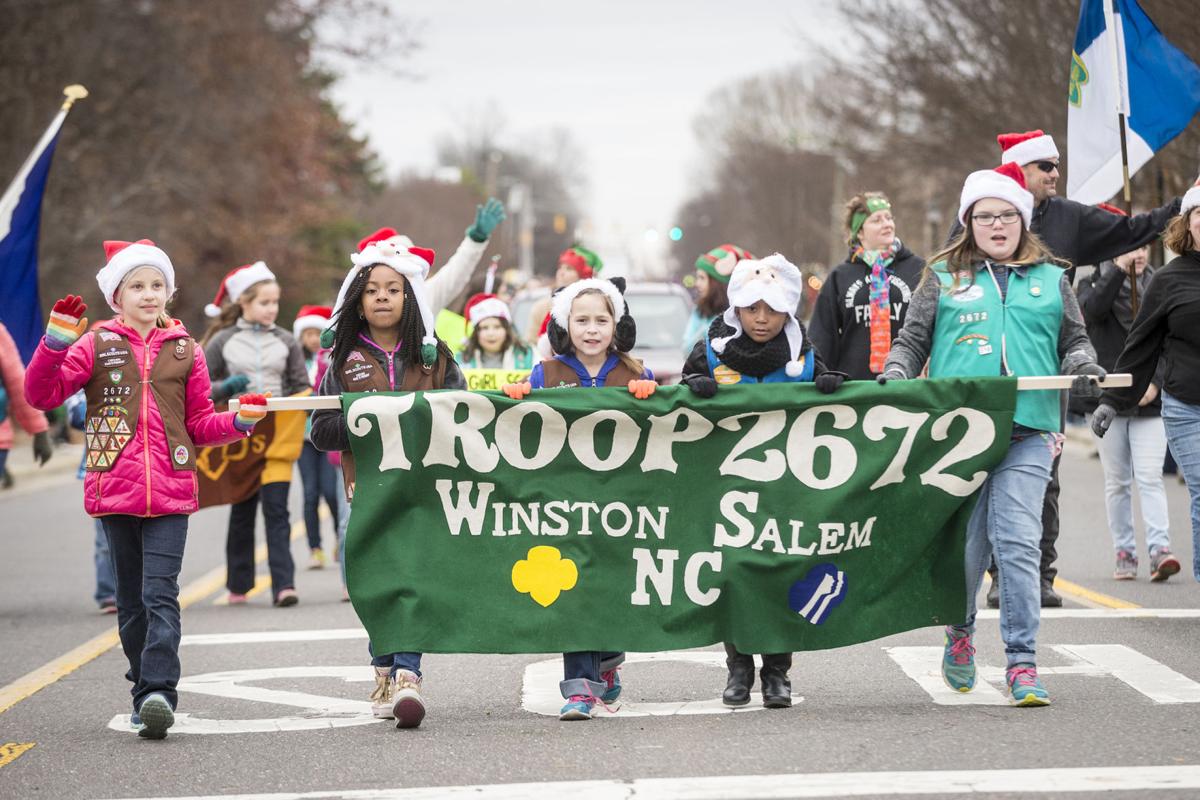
148 392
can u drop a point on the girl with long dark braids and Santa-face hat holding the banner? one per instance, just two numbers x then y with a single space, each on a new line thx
383 340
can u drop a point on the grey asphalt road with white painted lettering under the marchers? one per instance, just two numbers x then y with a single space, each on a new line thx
1126 688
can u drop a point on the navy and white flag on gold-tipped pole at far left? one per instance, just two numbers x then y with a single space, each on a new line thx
21 214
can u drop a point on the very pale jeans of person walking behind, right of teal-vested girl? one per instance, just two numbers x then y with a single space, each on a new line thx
1133 450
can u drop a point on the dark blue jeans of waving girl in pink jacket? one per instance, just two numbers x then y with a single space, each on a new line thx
148 554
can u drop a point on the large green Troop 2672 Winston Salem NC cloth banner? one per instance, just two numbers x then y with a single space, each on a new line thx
772 518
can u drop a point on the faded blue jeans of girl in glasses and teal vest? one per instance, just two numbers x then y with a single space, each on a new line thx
1007 521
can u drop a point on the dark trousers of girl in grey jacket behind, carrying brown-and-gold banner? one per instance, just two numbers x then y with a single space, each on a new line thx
241 542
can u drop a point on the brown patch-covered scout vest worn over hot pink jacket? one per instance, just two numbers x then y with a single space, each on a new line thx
115 400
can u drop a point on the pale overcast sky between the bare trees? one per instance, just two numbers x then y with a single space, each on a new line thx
625 77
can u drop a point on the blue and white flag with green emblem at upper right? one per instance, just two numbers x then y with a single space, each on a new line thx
1123 64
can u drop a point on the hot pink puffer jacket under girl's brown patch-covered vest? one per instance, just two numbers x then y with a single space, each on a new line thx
142 483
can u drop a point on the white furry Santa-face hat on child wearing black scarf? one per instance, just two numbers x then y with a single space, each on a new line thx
777 282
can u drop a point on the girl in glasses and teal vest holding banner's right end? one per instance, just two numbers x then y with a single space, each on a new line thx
995 303
